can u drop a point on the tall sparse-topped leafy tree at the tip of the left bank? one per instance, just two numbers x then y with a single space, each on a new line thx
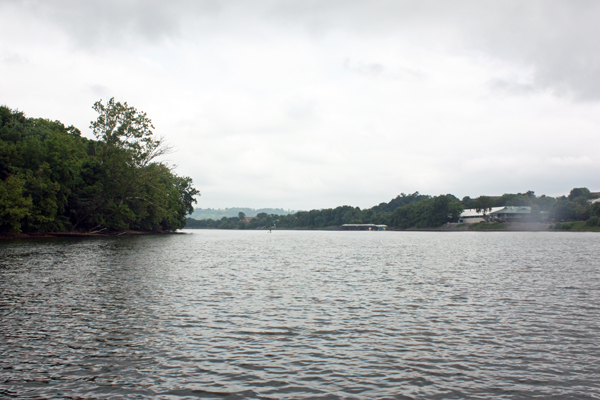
137 193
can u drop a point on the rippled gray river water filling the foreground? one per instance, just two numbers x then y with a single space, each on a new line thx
302 314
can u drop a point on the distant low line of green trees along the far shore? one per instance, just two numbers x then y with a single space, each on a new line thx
420 211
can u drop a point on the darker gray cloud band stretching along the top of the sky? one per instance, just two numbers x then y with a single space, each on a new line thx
557 38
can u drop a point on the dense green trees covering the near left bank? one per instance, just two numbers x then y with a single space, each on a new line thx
53 179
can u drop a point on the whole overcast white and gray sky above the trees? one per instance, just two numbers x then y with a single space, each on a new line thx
306 104
